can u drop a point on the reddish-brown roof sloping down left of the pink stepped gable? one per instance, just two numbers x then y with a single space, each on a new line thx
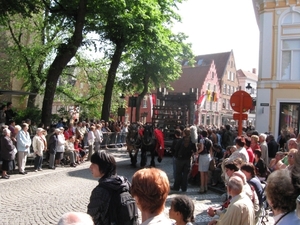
191 77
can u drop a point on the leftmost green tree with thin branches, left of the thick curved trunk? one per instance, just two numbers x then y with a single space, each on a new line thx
29 47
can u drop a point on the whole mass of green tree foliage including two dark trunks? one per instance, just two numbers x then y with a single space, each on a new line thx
133 35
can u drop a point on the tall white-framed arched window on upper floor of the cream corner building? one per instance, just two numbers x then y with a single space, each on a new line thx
289 45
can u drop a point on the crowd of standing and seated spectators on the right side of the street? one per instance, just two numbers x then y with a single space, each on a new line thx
249 167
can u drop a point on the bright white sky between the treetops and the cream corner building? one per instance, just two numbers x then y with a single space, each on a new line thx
222 25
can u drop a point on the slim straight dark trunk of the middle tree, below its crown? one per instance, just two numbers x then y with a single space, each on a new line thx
111 81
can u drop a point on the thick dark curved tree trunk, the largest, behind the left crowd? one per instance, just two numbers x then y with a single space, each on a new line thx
64 54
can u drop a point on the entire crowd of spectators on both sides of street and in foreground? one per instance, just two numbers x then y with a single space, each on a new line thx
253 168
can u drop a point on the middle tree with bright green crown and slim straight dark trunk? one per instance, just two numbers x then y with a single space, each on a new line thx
135 22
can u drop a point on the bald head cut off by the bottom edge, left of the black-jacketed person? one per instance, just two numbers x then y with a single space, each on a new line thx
75 218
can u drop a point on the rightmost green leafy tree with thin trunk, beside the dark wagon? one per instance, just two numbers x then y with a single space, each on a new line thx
156 64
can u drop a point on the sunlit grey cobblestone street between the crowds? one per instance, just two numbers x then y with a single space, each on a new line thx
42 197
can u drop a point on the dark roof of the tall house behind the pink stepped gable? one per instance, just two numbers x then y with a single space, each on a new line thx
220 59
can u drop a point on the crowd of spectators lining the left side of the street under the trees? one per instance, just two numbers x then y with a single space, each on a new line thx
64 143
